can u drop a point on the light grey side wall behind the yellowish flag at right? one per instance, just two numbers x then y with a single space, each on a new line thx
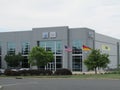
107 45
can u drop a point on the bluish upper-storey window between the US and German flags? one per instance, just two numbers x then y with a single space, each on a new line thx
77 47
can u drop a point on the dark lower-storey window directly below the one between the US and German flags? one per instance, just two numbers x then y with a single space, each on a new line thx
77 63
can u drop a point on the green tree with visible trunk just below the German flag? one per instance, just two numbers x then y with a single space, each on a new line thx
96 60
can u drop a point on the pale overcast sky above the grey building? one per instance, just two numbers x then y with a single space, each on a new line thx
101 15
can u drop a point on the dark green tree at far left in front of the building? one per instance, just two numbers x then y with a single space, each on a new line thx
13 60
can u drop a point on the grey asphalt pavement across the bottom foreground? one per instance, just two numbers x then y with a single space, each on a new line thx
58 84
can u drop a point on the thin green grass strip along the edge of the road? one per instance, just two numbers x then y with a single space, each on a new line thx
87 76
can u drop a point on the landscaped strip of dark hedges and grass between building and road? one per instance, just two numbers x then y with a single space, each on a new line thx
62 73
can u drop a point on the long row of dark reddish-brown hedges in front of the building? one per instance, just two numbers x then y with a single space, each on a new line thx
9 72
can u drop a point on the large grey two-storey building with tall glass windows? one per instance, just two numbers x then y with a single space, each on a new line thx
65 43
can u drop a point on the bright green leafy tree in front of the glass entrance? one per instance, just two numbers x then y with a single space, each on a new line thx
39 57
